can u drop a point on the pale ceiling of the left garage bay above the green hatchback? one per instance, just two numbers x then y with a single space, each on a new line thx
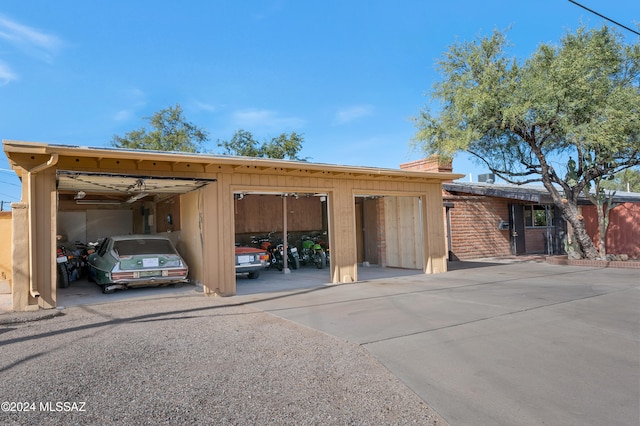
125 186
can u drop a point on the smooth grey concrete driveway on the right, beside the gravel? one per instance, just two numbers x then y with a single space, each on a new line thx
494 344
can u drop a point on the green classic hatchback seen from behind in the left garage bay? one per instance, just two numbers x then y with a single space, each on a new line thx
126 261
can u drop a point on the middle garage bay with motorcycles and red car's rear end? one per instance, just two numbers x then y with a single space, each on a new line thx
261 222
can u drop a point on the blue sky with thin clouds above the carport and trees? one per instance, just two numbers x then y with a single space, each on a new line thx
348 75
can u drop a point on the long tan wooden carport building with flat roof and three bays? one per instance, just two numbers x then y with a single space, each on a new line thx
191 197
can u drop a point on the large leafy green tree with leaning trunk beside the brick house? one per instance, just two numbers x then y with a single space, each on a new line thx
523 120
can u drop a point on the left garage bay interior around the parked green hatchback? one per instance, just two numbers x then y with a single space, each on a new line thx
94 206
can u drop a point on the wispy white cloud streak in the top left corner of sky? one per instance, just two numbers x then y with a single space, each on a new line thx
30 40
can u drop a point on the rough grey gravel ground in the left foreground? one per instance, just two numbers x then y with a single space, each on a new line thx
191 360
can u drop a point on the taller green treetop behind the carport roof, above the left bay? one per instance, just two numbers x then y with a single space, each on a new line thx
170 131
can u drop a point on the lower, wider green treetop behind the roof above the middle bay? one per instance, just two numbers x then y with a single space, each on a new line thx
282 147
